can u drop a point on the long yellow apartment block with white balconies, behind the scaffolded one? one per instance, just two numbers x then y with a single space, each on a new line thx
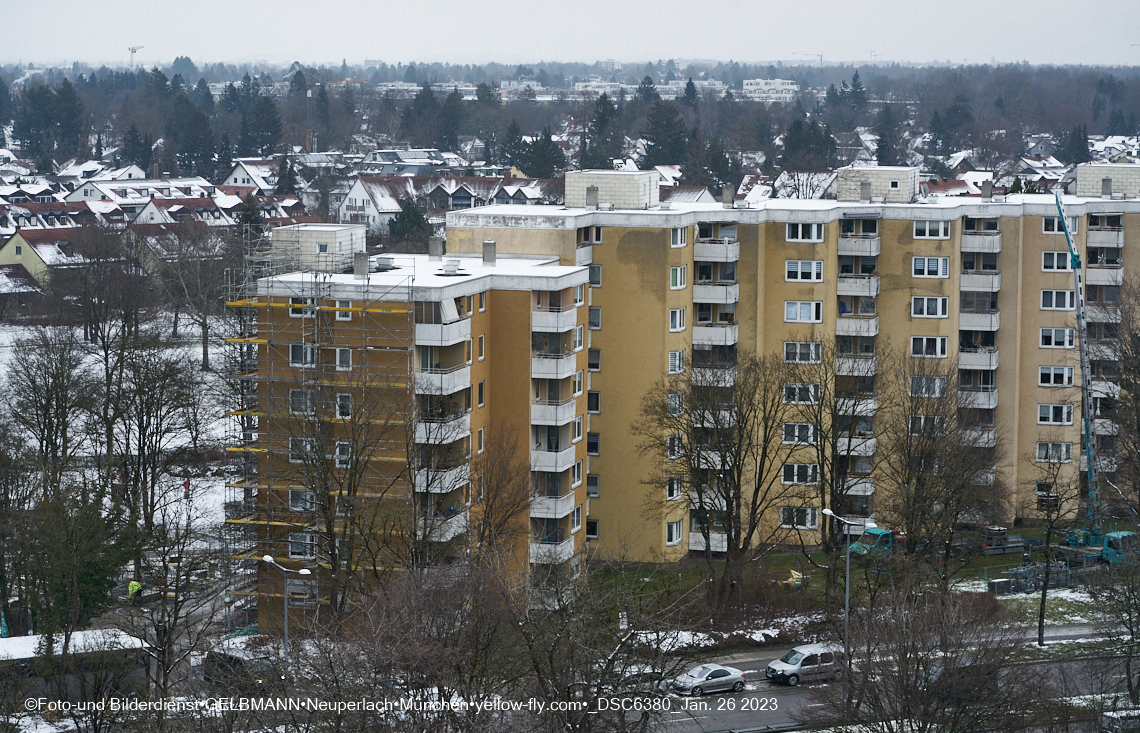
981 280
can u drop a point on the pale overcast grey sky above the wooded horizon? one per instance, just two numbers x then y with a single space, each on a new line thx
512 31
